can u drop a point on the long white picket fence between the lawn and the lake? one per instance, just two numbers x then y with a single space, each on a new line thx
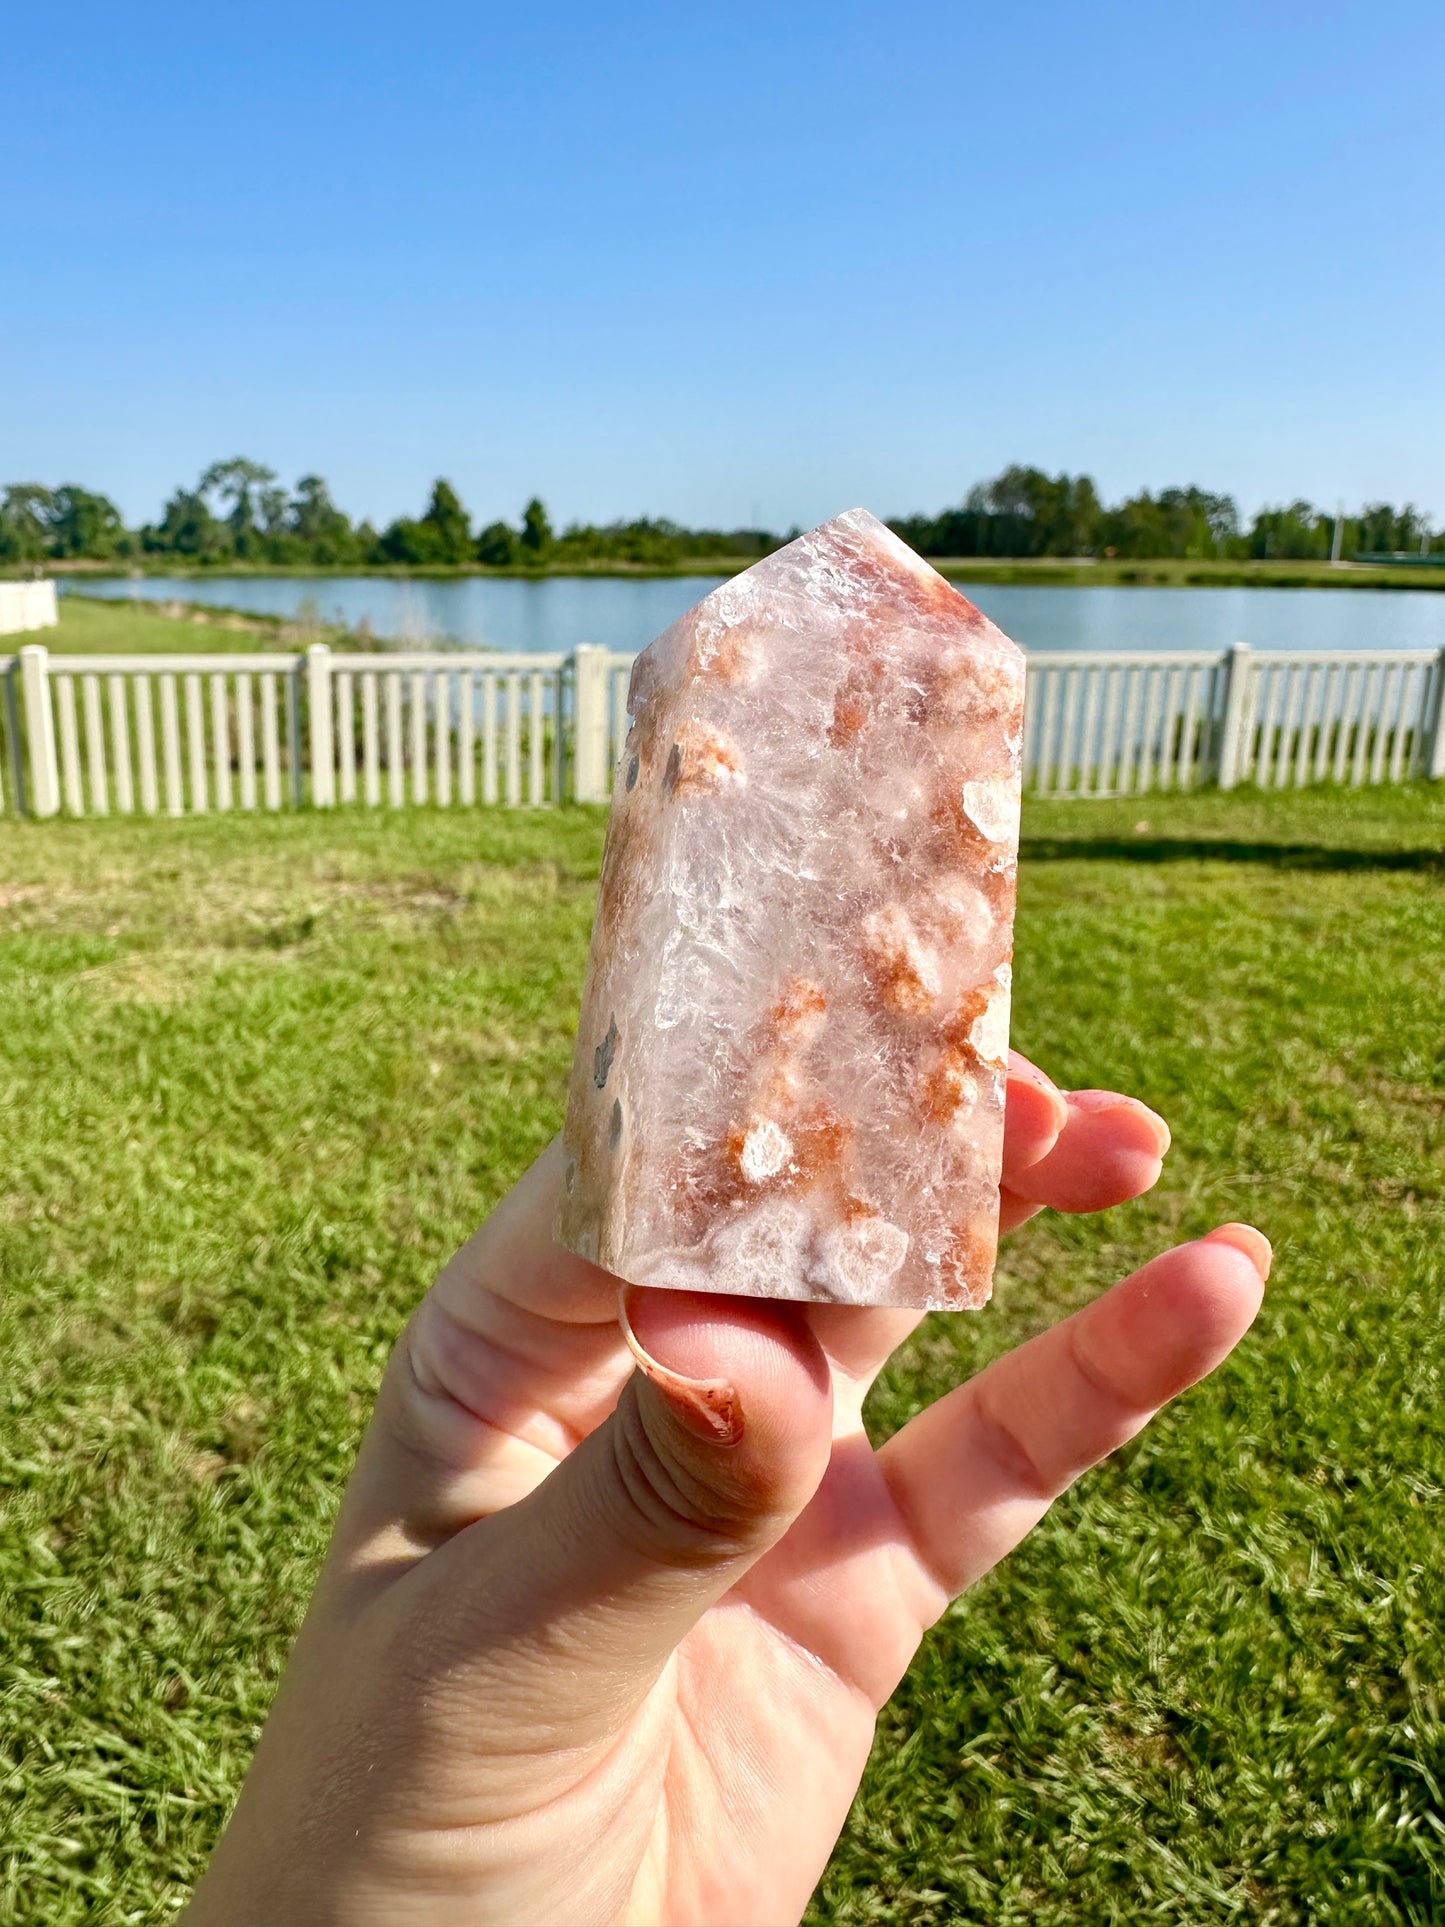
192 733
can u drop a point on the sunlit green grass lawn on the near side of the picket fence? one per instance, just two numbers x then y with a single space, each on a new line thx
263 1076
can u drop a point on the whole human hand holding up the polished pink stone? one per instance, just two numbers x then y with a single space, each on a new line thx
602 1645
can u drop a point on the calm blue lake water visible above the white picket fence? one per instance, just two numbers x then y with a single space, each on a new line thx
560 612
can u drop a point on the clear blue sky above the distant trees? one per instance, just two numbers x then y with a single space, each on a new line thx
723 263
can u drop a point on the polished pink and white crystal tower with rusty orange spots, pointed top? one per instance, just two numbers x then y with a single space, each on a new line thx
791 1067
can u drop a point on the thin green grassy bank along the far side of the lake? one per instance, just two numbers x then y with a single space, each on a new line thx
1043 573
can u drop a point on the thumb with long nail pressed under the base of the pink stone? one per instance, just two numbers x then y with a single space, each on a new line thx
581 1593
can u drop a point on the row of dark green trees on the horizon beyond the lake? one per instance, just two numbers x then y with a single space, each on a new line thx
240 514
